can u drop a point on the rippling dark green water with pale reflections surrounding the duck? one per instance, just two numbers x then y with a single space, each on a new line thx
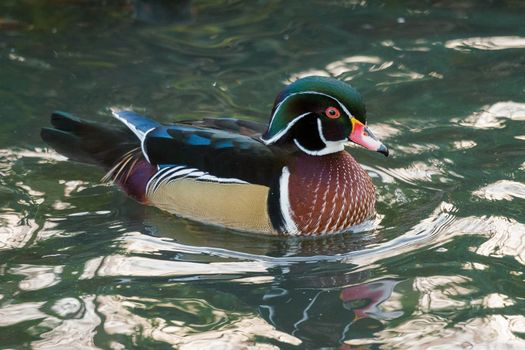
82 266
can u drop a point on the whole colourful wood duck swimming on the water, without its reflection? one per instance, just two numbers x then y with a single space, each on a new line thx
292 177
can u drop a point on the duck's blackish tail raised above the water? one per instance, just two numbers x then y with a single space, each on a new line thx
87 141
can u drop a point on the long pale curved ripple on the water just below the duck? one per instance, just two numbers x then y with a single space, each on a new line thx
427 231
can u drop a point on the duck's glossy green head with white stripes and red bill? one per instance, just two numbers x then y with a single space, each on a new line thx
319 115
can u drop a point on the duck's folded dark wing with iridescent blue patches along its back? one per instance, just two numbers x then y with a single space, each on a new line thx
221 154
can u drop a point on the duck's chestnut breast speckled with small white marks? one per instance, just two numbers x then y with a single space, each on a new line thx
328 194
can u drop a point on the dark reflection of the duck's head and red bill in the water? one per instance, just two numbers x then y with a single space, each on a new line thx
321 310
